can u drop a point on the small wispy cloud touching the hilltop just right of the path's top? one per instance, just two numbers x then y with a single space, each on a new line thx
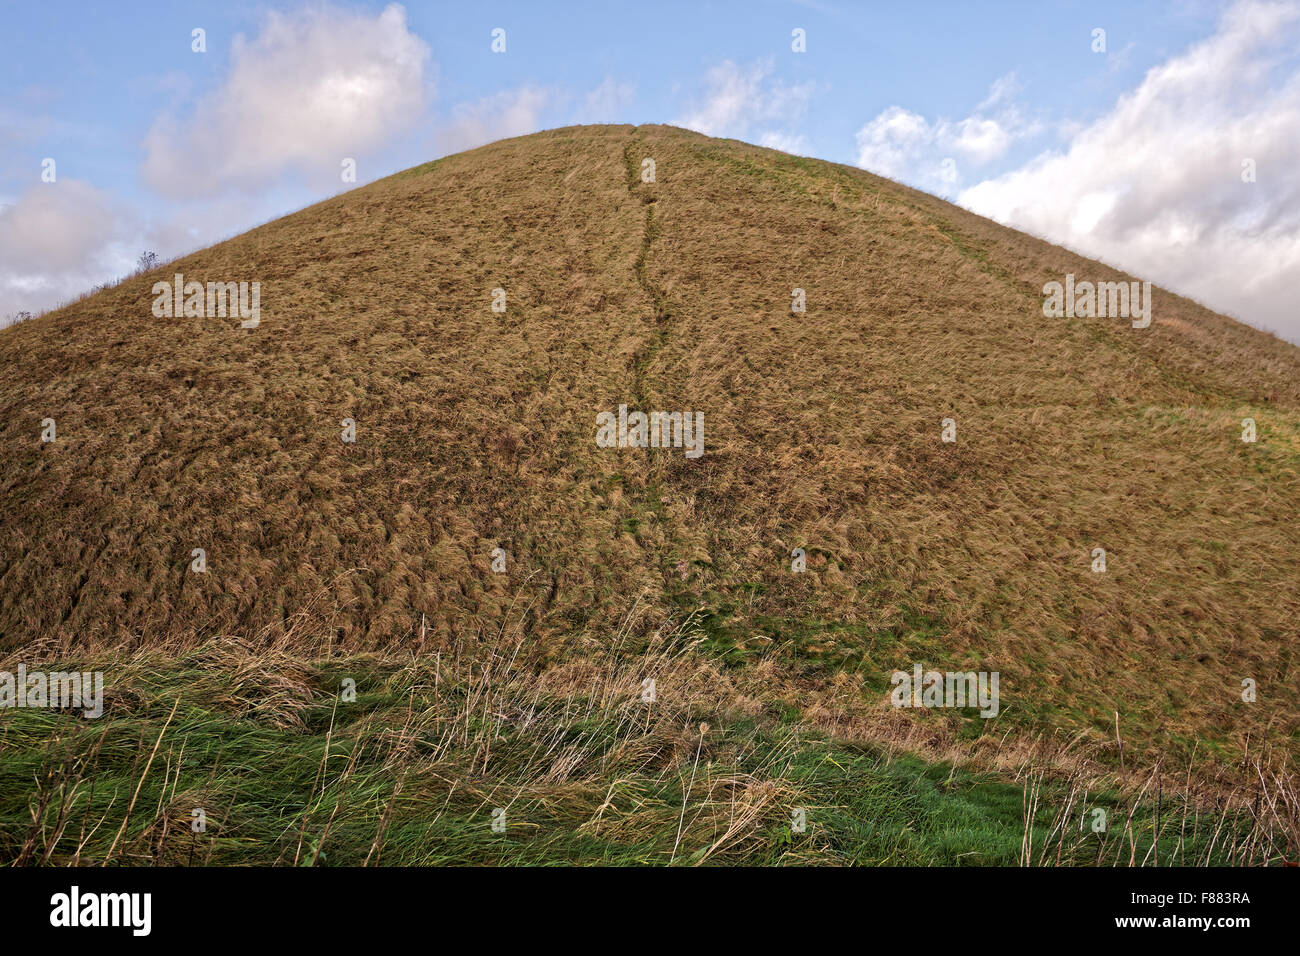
742 100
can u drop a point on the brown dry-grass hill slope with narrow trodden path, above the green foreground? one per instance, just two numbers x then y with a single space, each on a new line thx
476 430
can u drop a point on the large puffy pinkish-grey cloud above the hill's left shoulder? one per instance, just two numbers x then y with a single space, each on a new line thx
311 89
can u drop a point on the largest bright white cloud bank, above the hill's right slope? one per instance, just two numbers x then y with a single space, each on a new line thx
1156 185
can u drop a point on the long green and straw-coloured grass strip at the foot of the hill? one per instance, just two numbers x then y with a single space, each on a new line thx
413 771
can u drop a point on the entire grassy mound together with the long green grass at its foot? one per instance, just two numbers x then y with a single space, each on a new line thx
372 561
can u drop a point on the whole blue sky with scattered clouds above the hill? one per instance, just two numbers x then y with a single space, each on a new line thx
1132 154
